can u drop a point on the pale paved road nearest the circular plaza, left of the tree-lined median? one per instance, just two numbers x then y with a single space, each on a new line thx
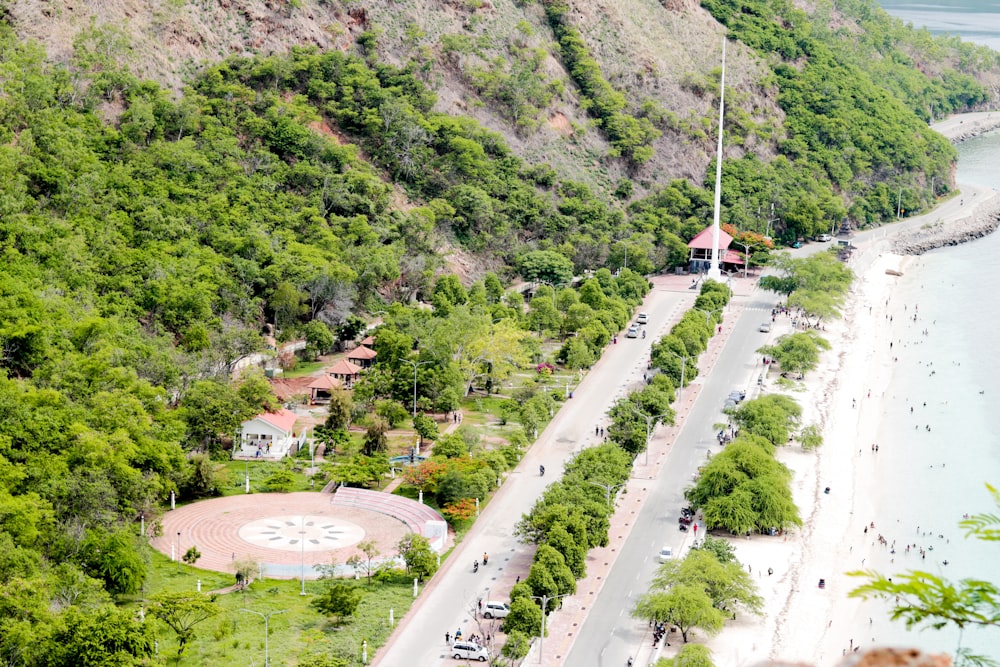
452 594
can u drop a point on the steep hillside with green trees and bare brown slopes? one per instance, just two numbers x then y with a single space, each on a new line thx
179 180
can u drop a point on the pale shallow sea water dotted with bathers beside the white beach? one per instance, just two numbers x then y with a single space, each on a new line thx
937 439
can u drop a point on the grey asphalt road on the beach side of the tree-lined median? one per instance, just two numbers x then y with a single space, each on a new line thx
609 635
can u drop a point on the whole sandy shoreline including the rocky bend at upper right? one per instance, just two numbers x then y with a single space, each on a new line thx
804 623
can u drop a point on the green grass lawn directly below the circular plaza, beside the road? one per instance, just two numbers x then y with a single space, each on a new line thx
235 637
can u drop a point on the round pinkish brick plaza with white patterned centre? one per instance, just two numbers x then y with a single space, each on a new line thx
286 533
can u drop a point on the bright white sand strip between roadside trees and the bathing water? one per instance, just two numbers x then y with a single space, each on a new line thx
795 625
